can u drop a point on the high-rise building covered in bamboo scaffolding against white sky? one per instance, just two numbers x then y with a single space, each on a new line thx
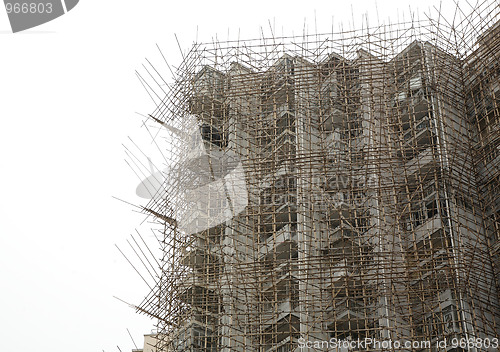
333 187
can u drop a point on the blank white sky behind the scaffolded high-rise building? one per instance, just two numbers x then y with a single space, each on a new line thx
69 100
